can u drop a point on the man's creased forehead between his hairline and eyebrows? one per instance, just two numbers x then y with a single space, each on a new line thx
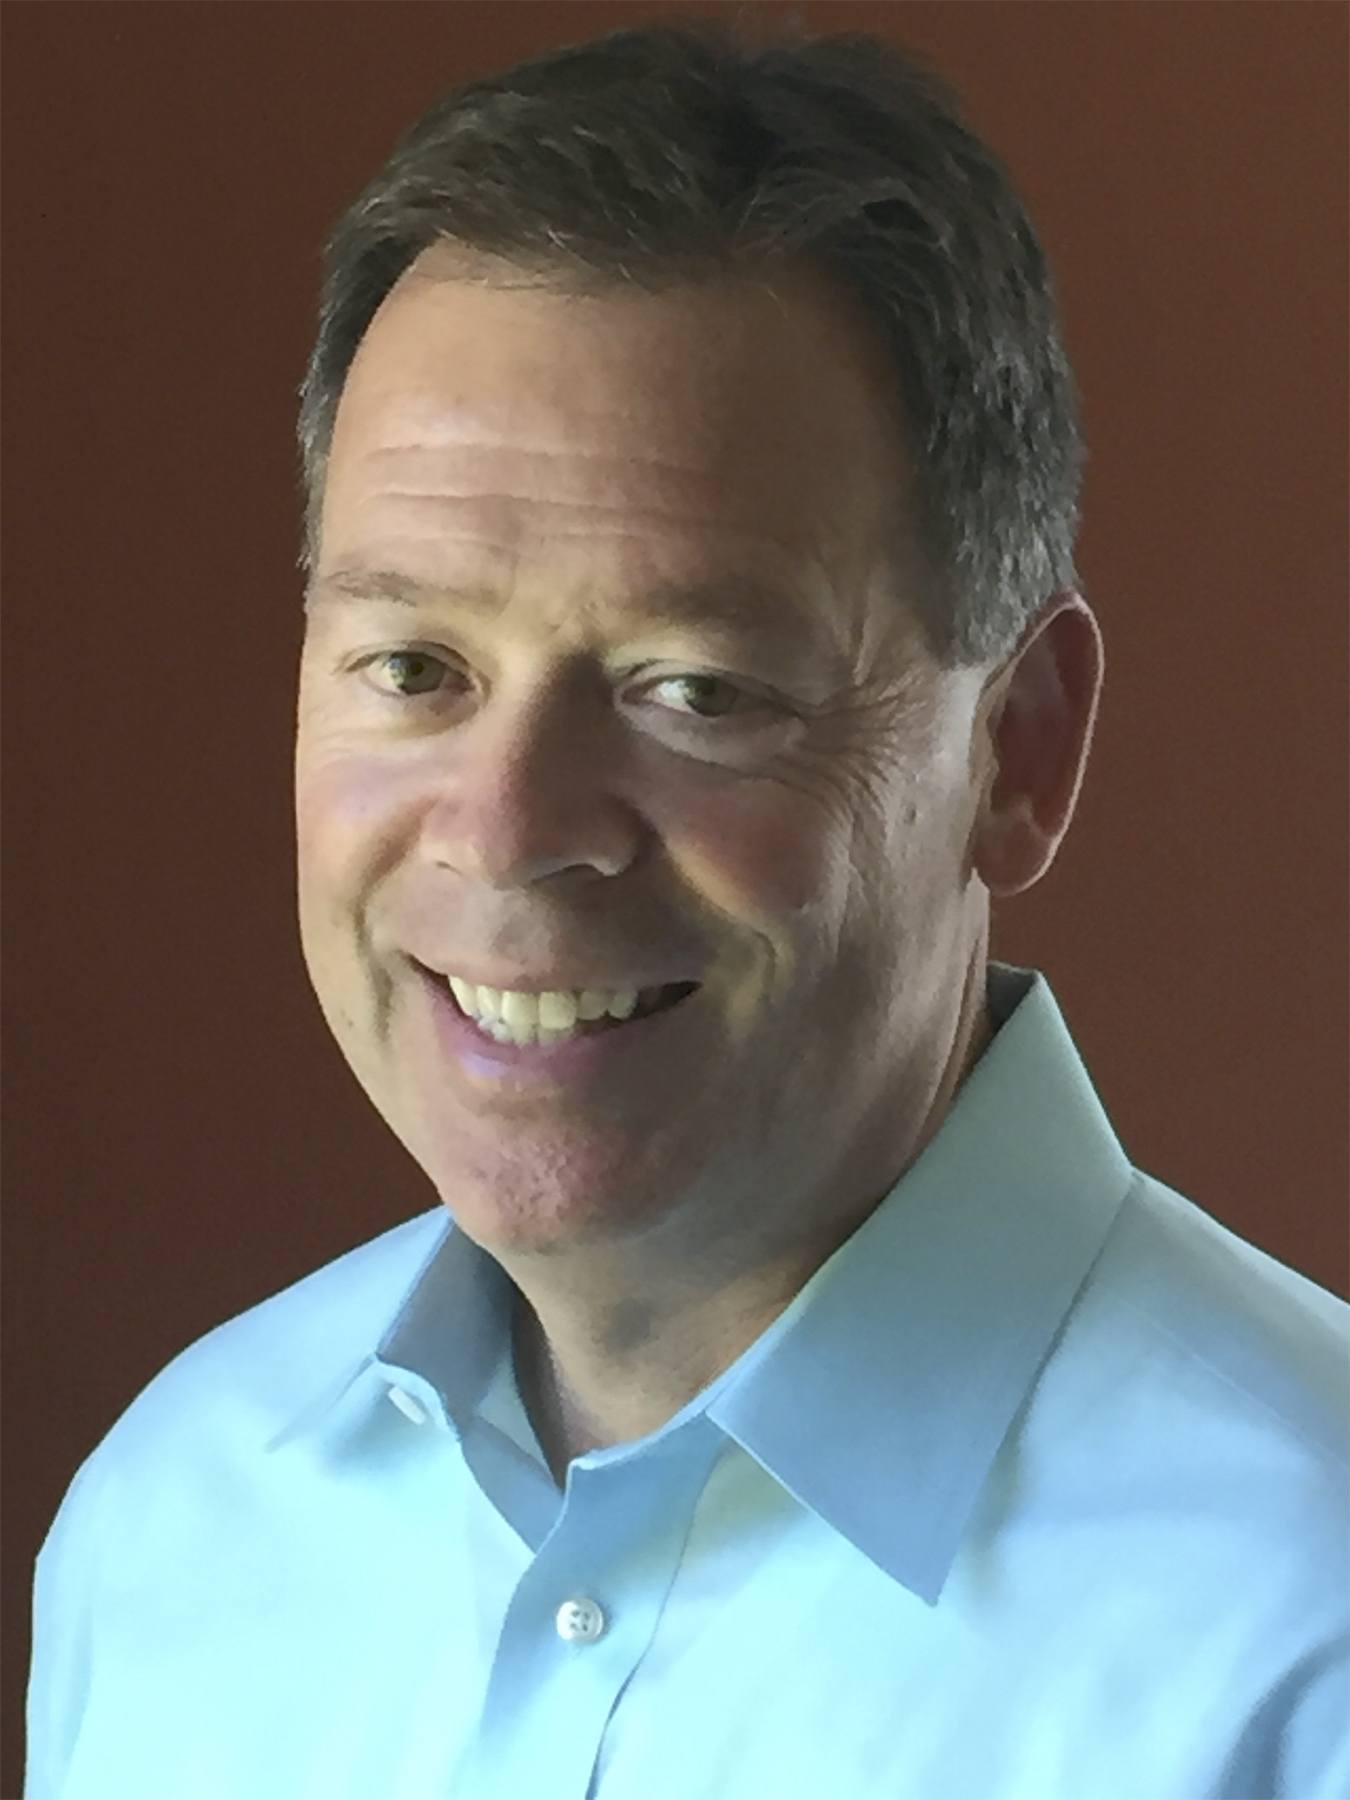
733 426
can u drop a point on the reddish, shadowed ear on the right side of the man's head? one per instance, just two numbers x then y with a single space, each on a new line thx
1038 712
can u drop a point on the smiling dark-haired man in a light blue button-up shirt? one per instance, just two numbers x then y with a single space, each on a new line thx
795 1389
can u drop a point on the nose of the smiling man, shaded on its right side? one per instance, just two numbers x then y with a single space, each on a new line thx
526 791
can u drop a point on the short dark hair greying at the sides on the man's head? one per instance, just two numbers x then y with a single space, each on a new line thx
678 152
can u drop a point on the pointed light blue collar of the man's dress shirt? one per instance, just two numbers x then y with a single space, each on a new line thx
885 1390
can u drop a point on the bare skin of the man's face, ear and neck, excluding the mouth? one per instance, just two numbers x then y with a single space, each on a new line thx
813 836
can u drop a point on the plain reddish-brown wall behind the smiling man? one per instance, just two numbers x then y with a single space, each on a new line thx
183 1137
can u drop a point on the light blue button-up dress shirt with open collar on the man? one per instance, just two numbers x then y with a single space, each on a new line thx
1038 1491
